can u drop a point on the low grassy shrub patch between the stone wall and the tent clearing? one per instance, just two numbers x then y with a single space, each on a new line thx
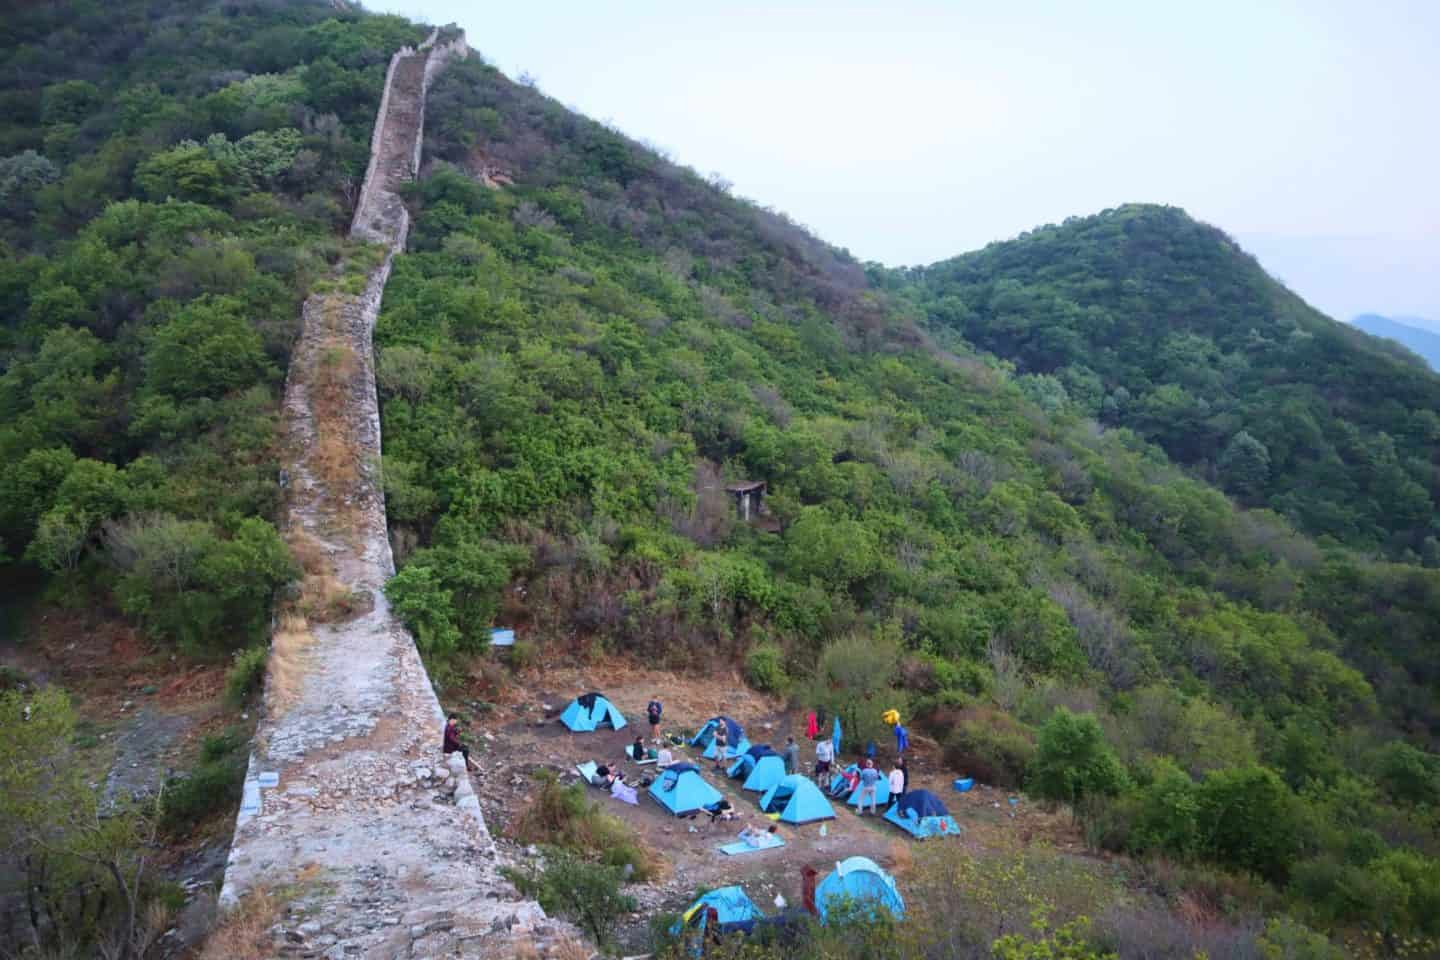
562 817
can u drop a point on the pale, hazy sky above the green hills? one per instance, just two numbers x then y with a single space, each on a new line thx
912 132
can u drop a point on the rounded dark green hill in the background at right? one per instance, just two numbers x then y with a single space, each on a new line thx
1154 322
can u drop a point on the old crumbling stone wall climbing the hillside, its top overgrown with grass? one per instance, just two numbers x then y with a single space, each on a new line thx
348 800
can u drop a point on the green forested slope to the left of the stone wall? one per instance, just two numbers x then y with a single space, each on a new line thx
174 182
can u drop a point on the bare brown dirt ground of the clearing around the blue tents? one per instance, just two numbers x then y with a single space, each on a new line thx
513 741
